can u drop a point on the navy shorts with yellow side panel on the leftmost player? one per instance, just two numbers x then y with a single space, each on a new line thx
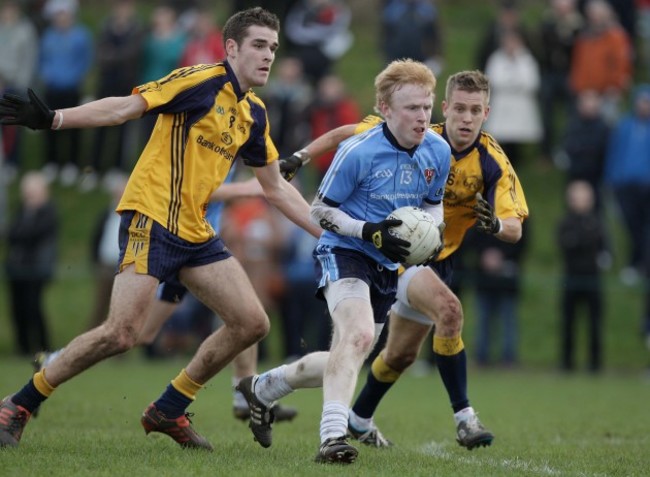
155 251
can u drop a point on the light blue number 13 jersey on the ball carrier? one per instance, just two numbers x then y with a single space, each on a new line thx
371 175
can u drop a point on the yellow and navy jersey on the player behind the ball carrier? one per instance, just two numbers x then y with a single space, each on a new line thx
482 167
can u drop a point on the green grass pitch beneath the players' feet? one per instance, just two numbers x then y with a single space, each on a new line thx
546 424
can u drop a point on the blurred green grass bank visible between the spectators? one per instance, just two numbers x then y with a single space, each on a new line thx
69 297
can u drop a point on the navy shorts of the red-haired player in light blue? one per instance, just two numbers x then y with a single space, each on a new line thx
334 263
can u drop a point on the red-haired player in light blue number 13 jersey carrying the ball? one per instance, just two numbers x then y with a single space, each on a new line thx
396 164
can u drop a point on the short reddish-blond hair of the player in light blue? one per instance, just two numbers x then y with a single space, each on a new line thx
399 73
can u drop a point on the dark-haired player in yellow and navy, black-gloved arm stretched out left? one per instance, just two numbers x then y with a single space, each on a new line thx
207 118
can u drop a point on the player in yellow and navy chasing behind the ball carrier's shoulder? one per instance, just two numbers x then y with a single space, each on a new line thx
482 189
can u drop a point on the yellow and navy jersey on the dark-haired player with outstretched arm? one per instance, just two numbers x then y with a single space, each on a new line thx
205 121
